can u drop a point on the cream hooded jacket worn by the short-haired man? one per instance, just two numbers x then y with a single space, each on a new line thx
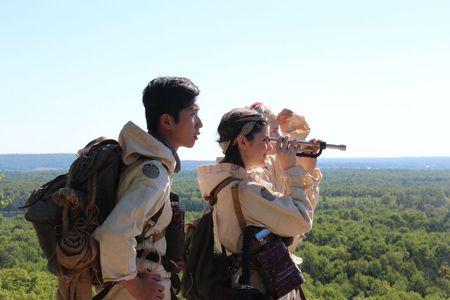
144 188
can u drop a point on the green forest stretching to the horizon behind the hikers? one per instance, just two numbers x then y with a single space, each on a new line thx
377 234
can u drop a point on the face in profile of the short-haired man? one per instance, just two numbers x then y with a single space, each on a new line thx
188 127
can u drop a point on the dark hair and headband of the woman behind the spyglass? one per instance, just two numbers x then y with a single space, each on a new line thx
238 121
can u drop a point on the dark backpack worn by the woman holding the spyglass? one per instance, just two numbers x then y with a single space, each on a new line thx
205 271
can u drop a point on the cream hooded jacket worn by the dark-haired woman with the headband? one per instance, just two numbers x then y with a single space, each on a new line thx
288 214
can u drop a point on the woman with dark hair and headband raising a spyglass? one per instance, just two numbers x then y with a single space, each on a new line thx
245 141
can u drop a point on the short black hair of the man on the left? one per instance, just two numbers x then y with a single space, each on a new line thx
167 95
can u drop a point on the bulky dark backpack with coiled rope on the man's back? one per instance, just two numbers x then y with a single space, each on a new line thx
66 210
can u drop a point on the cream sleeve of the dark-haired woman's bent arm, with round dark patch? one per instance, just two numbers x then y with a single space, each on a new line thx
286 215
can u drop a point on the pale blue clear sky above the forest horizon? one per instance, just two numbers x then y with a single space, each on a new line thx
374 75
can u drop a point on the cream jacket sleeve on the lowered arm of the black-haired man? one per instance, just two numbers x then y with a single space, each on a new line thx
116 235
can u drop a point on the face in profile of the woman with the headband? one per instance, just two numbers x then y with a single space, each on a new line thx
257 149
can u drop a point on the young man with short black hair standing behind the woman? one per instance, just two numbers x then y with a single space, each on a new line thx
144 209
